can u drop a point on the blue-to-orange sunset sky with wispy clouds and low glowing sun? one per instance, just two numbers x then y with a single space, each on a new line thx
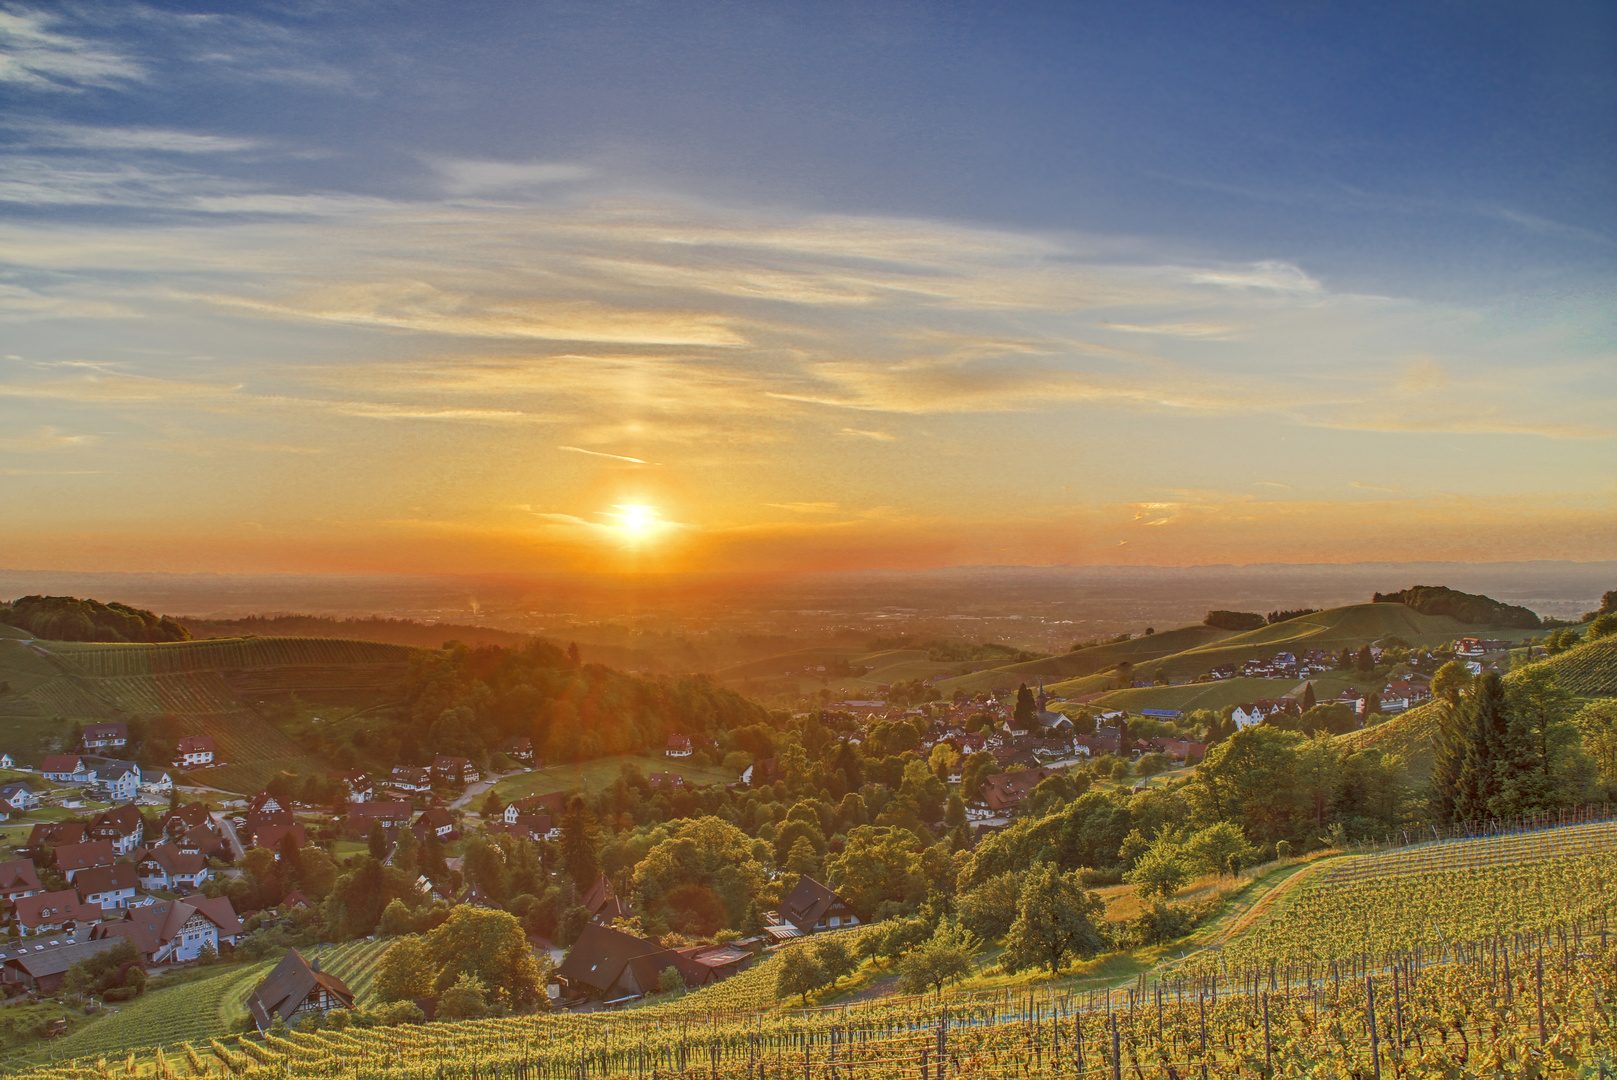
704 287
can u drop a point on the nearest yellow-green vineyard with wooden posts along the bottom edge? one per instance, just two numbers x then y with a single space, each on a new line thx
1514 1006
